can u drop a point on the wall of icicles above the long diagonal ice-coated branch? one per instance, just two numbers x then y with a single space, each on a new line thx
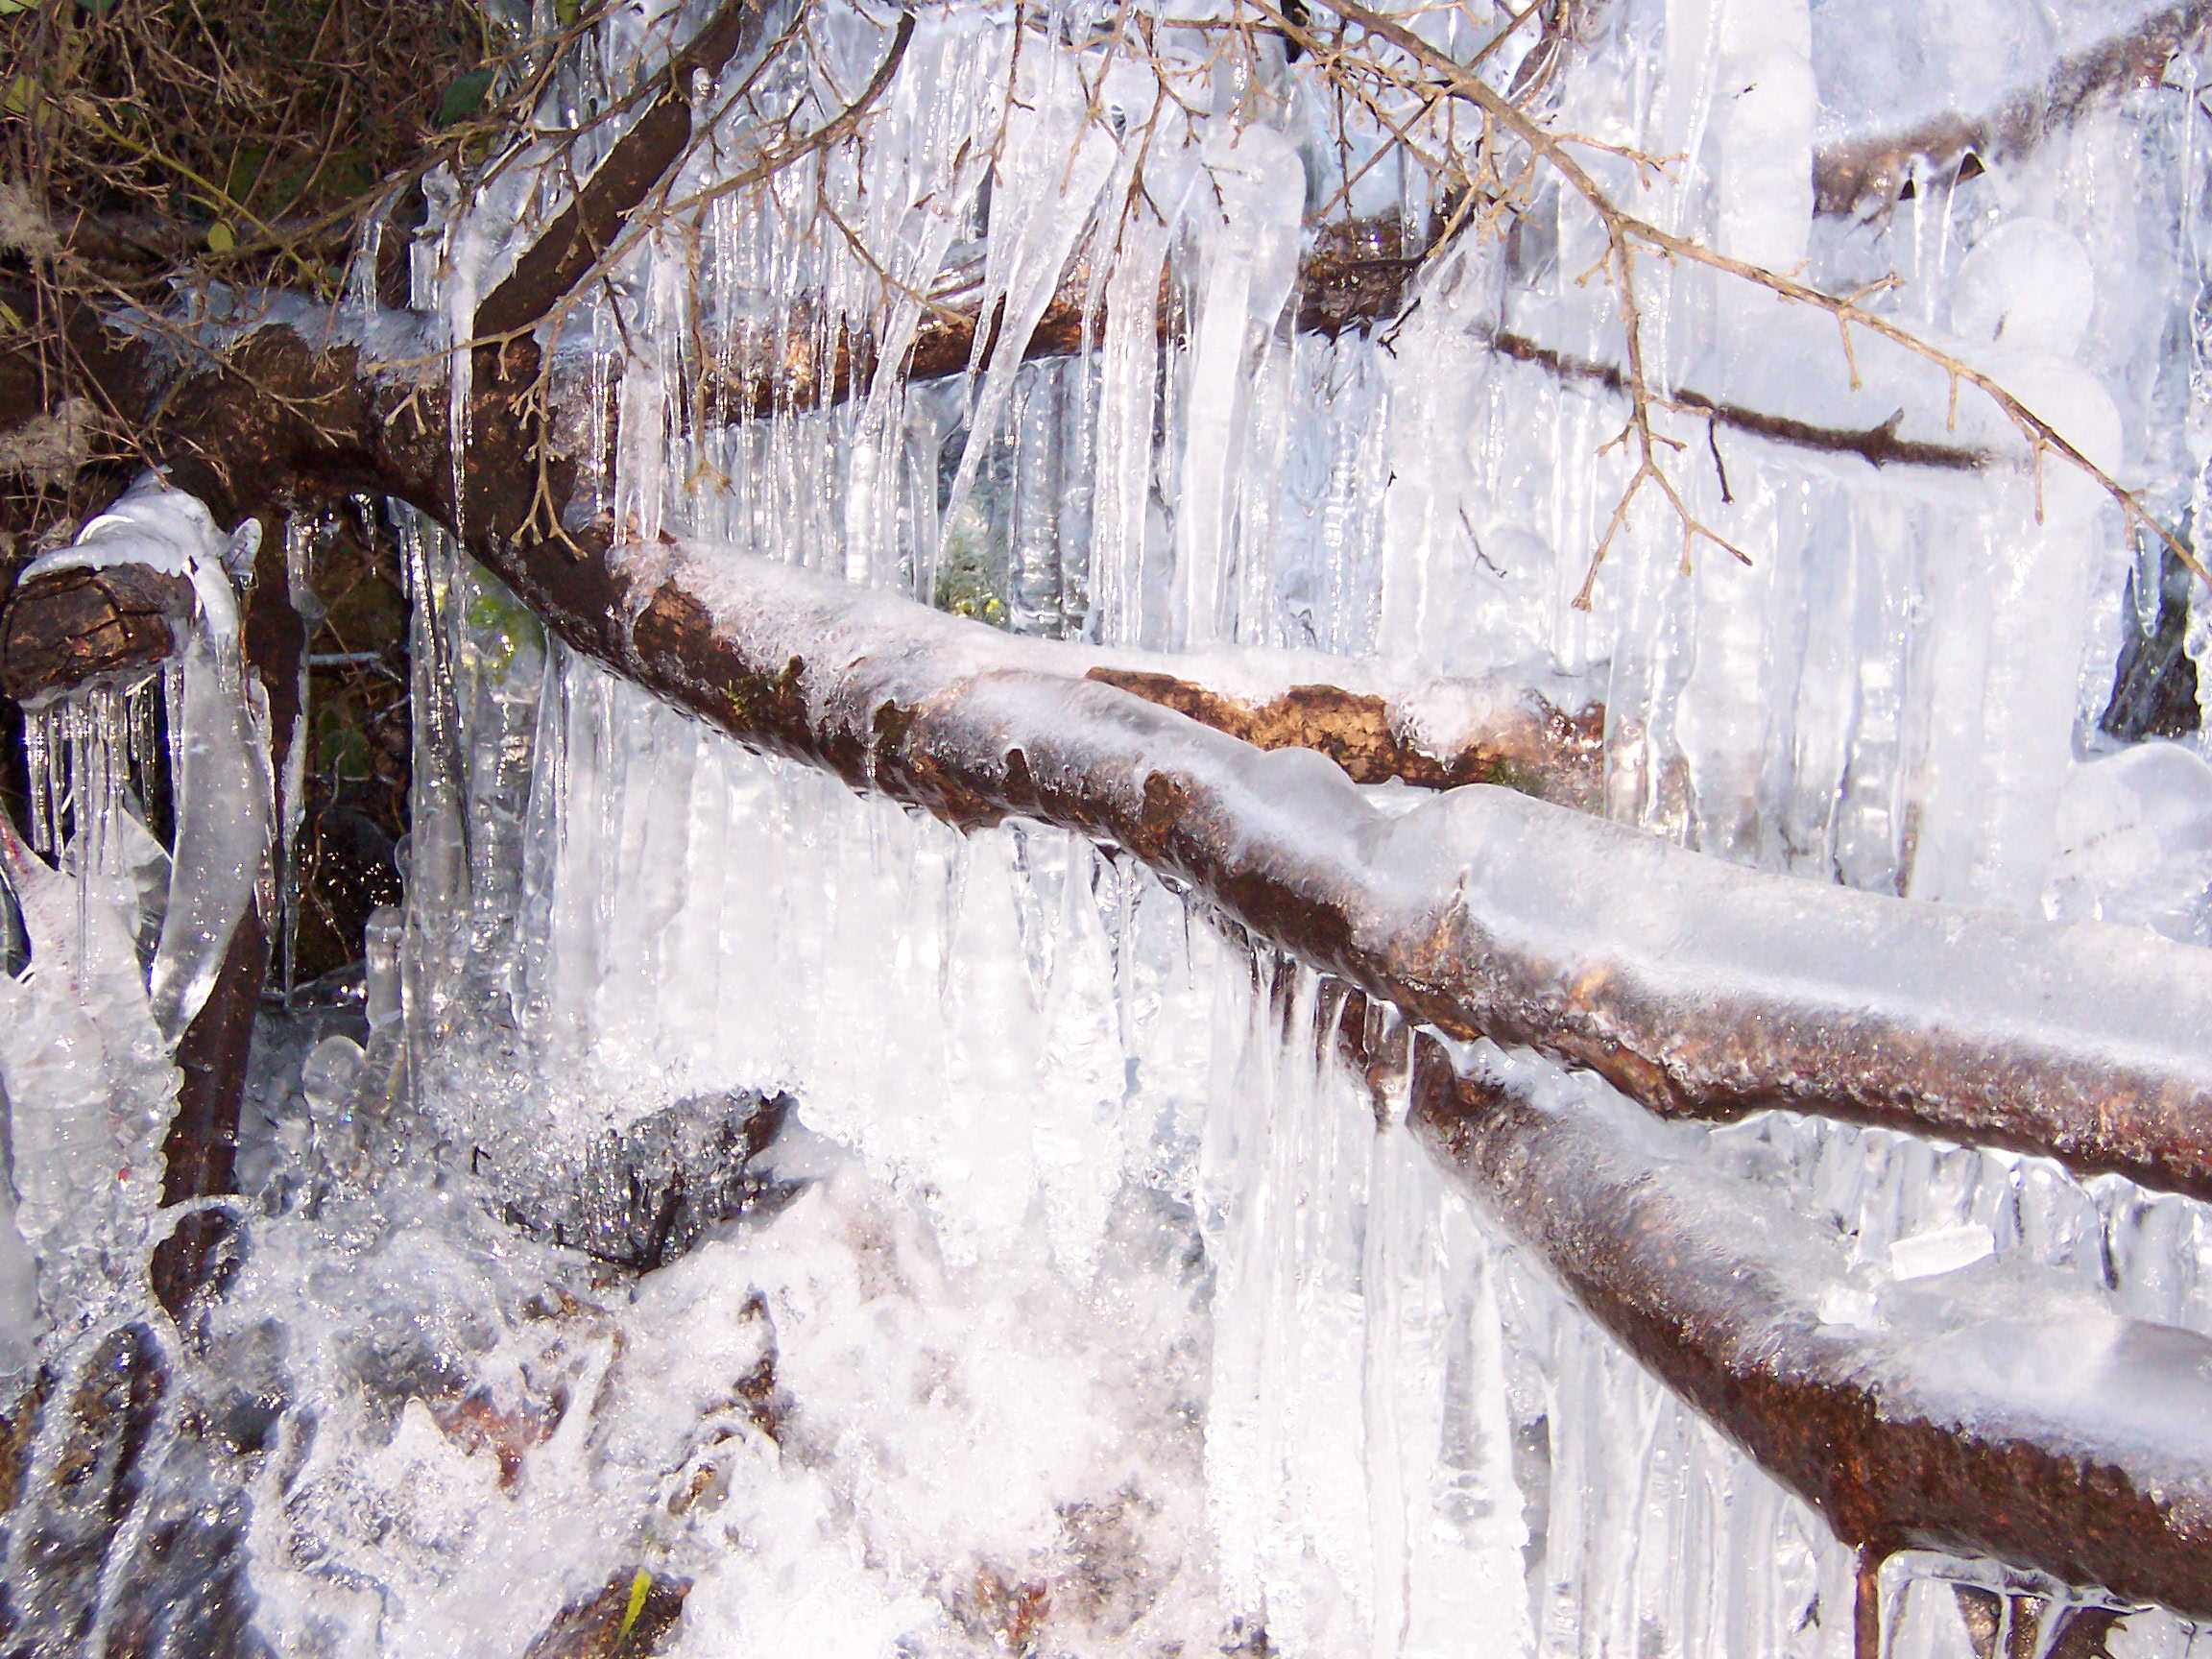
1890 696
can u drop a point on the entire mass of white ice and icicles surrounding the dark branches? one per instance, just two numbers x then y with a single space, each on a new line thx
1092 1302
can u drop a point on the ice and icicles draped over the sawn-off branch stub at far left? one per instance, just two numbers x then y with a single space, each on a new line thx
114 939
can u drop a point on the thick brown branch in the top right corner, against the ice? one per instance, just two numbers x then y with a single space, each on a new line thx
1868 174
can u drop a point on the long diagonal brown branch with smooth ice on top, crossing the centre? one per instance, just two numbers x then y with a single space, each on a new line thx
1698 988
